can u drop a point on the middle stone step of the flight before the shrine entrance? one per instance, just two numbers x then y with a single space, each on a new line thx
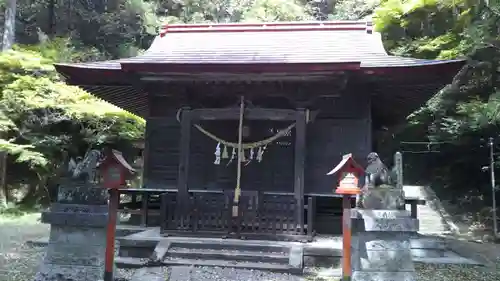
232 255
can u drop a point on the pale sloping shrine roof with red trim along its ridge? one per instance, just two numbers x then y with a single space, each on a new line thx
324 44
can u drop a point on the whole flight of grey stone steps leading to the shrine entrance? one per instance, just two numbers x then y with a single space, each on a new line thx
264 255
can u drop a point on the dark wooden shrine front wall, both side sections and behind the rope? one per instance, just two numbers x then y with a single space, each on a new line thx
342 126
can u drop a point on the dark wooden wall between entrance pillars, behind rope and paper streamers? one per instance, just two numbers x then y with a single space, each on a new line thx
274 173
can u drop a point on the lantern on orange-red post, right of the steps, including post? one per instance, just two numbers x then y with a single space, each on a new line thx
349 172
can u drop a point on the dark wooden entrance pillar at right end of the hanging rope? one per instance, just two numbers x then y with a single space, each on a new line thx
300 150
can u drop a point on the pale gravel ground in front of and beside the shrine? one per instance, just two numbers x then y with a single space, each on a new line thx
19 262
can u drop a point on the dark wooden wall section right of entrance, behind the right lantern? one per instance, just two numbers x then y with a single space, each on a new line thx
342 126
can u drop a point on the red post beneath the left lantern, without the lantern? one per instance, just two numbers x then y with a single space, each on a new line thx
111 233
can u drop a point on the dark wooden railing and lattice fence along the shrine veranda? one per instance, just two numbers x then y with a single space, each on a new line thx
210 211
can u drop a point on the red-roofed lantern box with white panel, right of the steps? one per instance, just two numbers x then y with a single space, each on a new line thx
349 173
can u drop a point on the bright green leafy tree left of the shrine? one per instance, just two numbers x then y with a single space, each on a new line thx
41 116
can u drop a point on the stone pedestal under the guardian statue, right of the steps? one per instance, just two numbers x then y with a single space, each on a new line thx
381 238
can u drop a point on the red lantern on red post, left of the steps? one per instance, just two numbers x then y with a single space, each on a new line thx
115 171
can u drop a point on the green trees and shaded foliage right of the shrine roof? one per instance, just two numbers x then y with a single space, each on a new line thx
460 117
